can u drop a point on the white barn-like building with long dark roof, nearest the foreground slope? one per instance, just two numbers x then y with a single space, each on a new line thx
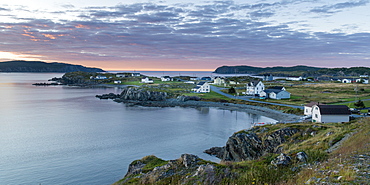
330 113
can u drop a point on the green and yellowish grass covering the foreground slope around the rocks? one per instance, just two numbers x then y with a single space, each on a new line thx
326 163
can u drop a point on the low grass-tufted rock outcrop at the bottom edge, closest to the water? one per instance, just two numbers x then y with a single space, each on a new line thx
188 169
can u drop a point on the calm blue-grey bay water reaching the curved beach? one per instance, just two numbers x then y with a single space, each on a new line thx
64 135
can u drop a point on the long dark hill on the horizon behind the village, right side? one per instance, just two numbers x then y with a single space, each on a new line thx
293 71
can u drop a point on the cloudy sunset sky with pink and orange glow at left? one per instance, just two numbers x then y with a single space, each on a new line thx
187 35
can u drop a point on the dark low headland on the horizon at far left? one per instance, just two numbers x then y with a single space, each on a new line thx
38 66
